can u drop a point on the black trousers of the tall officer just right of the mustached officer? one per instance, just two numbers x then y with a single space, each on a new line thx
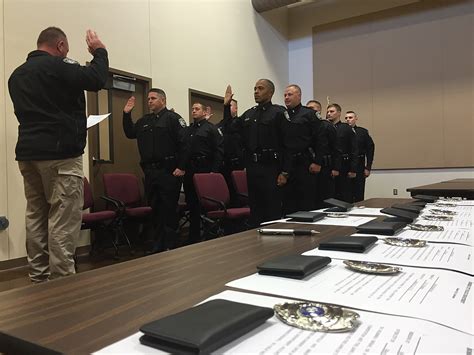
300 189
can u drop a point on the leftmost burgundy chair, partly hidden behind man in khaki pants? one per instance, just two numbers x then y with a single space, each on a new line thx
97 220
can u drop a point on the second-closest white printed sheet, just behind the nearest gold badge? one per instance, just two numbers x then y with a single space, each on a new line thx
441 296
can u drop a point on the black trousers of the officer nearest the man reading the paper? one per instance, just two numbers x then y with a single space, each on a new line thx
162 192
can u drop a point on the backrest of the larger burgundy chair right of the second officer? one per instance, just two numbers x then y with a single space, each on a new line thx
211 185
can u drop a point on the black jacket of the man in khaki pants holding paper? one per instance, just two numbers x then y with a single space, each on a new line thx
48 97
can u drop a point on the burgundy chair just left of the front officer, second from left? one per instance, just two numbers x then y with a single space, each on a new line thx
124 191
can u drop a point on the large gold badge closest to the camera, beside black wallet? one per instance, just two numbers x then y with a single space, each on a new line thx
319 317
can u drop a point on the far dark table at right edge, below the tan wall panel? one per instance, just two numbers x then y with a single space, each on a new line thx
451 188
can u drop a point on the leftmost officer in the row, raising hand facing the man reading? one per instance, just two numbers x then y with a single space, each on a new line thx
160 138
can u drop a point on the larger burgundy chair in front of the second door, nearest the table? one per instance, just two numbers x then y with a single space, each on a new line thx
213 194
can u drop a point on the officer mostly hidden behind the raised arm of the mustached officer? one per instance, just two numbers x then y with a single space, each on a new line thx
233 150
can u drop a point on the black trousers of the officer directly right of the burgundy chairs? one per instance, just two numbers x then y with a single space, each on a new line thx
264 194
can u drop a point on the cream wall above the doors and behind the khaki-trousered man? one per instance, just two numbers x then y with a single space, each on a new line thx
180 44
